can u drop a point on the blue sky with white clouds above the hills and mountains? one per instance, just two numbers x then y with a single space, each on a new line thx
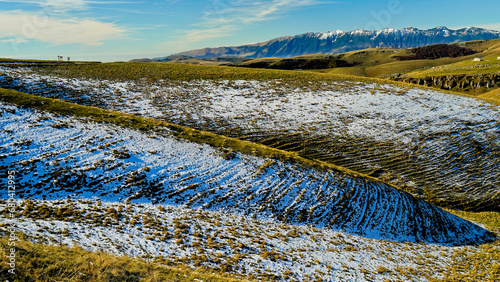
127 29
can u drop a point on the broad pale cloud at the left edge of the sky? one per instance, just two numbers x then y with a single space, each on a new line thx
35 26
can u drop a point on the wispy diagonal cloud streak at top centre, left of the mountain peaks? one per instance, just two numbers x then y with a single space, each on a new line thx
227 16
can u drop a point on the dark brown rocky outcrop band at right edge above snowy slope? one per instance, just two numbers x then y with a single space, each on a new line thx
458 82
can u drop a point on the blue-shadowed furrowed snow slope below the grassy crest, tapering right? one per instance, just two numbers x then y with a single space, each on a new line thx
60 157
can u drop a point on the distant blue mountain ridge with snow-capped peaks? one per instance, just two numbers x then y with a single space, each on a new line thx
334 42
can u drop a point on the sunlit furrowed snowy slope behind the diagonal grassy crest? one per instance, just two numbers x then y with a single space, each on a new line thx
440 147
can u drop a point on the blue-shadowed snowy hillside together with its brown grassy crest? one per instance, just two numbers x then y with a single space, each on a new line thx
280 185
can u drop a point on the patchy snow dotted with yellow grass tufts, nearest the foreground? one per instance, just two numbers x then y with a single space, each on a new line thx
249 246
